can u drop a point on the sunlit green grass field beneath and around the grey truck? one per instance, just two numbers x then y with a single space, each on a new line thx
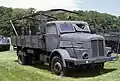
10 70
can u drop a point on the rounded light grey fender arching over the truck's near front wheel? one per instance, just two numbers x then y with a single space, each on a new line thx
63 53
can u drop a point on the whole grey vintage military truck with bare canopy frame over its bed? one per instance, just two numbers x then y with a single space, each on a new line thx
63 44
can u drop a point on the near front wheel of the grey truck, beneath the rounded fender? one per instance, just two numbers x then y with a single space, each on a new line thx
57 66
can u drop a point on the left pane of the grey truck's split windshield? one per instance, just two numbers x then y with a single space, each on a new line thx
66 27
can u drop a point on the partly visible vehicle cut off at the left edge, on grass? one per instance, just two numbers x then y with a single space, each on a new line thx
4 43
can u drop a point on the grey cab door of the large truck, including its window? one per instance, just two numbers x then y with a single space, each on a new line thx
51 37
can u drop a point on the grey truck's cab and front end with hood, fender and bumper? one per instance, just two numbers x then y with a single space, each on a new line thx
77 46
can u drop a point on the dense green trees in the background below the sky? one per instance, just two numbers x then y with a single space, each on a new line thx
102 22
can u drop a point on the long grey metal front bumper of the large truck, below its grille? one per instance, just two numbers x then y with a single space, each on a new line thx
93 60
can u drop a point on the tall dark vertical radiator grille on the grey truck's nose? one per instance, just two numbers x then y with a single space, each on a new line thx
97 48
